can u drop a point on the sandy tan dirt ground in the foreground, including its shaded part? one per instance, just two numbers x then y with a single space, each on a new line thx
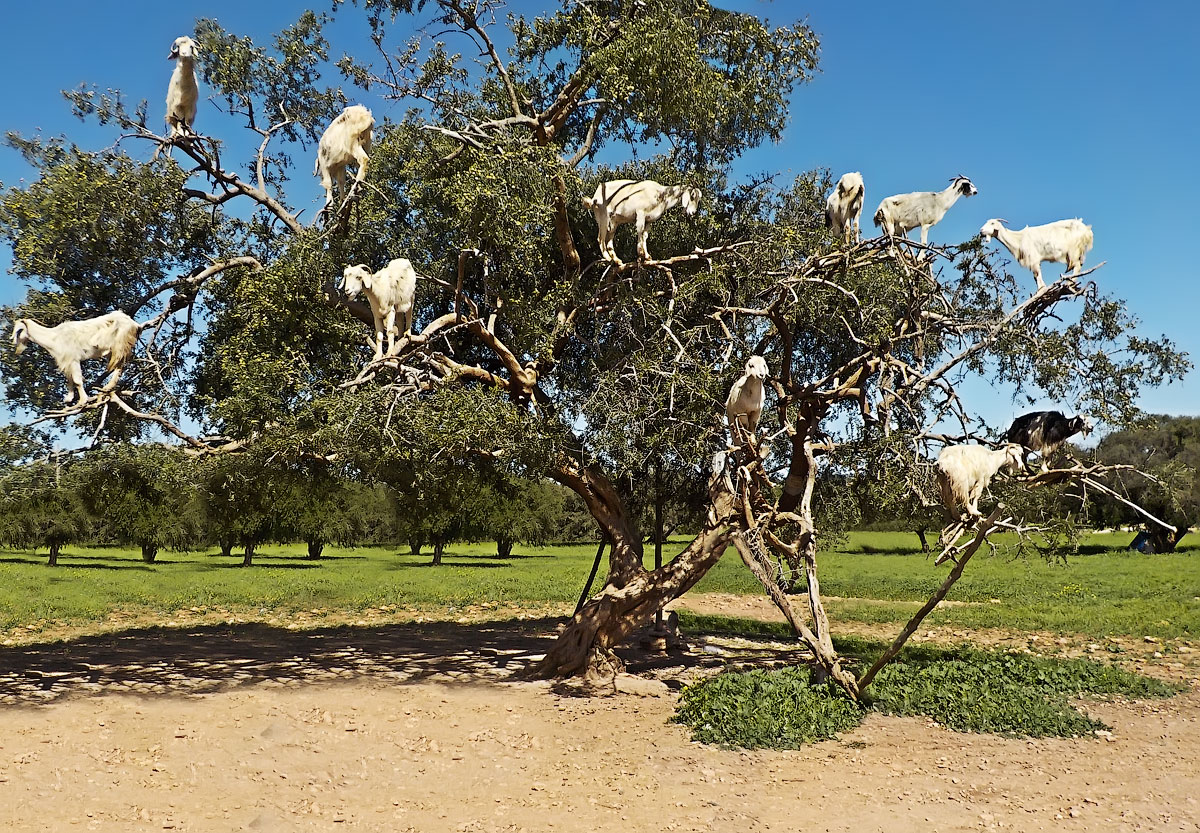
424 727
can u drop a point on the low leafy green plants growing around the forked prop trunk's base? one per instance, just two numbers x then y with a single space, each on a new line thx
964 690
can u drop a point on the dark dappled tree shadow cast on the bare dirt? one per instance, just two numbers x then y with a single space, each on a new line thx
189 662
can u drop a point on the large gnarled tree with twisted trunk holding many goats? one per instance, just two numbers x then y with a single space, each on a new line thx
531 353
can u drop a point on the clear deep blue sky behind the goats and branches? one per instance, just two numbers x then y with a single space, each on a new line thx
1055 110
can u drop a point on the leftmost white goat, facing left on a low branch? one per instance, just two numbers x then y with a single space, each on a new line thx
113 335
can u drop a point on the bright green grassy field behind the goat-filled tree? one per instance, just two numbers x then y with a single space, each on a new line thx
873 578
